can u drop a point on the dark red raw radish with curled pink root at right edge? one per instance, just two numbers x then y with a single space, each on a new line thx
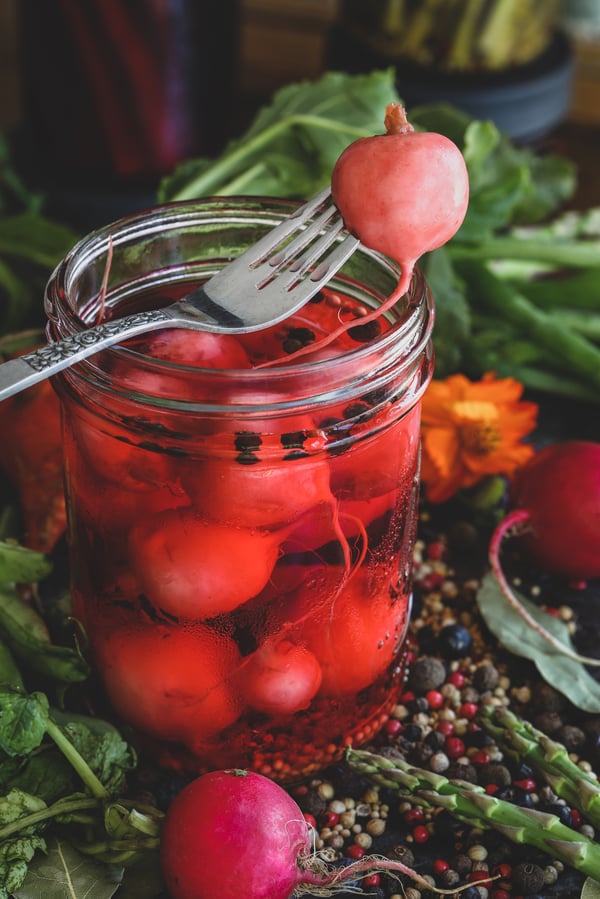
555 512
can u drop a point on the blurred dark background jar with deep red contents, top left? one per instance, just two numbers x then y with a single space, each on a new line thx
116 94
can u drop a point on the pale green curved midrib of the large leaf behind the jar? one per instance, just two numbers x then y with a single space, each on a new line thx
233 162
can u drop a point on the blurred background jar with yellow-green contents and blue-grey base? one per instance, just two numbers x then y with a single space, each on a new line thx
505 61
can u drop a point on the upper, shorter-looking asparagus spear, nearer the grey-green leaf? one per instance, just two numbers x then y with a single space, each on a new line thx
525 742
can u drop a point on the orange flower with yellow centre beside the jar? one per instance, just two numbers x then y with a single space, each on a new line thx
472 430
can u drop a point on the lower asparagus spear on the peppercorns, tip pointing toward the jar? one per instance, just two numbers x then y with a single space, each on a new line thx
471 804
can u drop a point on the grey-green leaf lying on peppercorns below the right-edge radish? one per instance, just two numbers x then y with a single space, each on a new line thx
566 675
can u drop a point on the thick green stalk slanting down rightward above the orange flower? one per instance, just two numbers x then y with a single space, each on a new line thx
487 290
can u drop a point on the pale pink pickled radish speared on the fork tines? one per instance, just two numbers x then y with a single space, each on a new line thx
402 193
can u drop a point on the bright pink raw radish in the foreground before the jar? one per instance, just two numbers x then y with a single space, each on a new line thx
236 833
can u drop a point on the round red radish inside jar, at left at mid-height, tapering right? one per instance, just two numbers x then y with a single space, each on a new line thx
195 569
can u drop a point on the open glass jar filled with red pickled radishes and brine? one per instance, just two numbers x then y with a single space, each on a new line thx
241 530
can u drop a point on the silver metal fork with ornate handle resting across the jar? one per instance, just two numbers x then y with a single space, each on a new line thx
261 287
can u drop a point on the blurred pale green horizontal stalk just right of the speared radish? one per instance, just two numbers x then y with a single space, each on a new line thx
568 253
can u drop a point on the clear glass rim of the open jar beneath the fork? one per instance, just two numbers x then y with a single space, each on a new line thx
406 337
